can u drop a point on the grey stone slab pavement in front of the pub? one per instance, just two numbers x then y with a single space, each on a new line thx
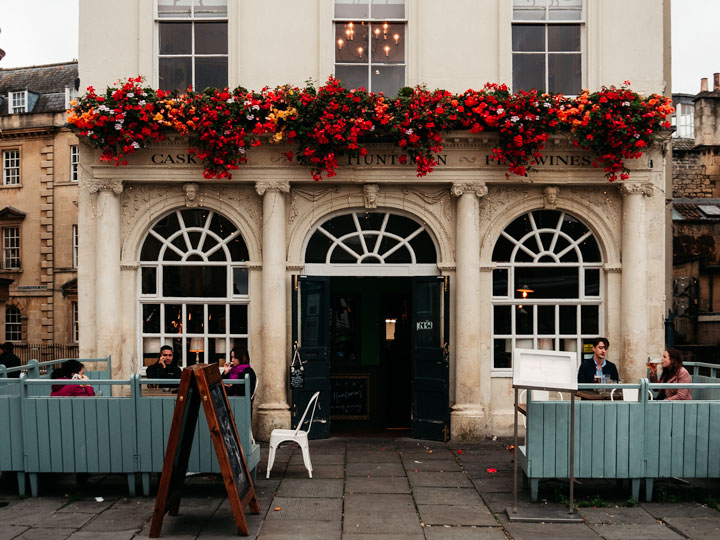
364 489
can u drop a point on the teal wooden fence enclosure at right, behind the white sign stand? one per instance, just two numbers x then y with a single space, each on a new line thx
635 439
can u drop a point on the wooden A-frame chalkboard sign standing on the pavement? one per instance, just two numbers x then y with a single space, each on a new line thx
202 383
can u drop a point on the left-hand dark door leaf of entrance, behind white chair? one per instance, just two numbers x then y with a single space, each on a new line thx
311 332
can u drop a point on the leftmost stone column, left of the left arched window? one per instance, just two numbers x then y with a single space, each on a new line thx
108 288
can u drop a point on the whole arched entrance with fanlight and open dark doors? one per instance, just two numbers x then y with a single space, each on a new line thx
369 317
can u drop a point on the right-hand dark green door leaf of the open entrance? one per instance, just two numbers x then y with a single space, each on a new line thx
430 397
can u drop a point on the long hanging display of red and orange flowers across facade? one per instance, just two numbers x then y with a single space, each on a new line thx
329 122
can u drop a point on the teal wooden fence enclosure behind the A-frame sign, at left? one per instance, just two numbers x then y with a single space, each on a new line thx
120 434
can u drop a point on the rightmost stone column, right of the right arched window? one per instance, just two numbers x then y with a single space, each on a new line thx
633 300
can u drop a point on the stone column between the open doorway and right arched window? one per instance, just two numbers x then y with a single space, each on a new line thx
468 416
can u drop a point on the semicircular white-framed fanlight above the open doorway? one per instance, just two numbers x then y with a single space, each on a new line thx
390 243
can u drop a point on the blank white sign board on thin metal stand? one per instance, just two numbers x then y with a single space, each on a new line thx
554 370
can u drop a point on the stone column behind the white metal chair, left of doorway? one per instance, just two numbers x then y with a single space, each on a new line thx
273 412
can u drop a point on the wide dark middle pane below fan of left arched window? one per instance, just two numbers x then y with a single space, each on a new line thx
195 281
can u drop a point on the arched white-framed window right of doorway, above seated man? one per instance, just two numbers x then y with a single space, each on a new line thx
547 286
